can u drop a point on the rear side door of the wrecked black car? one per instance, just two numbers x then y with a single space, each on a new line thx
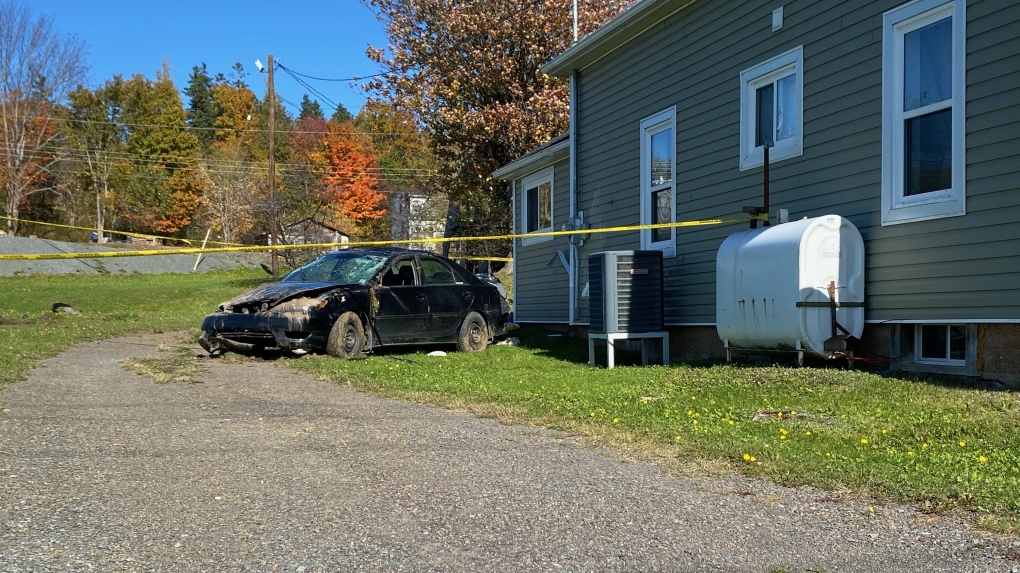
450 298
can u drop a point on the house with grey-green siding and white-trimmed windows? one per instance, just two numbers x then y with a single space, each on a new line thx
901 118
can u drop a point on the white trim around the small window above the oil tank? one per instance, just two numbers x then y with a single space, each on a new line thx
751 79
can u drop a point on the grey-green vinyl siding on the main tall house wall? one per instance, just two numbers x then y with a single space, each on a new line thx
963 268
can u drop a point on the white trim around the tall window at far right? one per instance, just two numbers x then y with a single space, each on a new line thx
896 207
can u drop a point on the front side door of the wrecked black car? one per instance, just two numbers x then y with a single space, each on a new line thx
402 317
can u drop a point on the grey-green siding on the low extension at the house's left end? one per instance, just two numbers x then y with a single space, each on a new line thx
543 289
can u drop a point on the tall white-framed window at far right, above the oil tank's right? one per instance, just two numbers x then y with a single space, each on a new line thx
924 116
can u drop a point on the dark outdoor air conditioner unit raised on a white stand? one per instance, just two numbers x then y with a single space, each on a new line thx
626 293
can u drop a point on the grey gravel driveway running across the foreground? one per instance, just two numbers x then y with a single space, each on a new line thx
262 468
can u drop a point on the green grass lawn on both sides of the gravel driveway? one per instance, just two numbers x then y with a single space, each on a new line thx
944 444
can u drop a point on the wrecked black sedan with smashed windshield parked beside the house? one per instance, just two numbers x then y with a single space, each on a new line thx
350 302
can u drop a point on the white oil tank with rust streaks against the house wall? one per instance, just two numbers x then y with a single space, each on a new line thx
771 283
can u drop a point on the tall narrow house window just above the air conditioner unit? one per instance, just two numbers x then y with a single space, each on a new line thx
658 181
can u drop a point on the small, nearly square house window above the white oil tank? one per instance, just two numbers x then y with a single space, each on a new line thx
772 110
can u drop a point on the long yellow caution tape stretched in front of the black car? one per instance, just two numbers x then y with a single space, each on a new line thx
266 248
